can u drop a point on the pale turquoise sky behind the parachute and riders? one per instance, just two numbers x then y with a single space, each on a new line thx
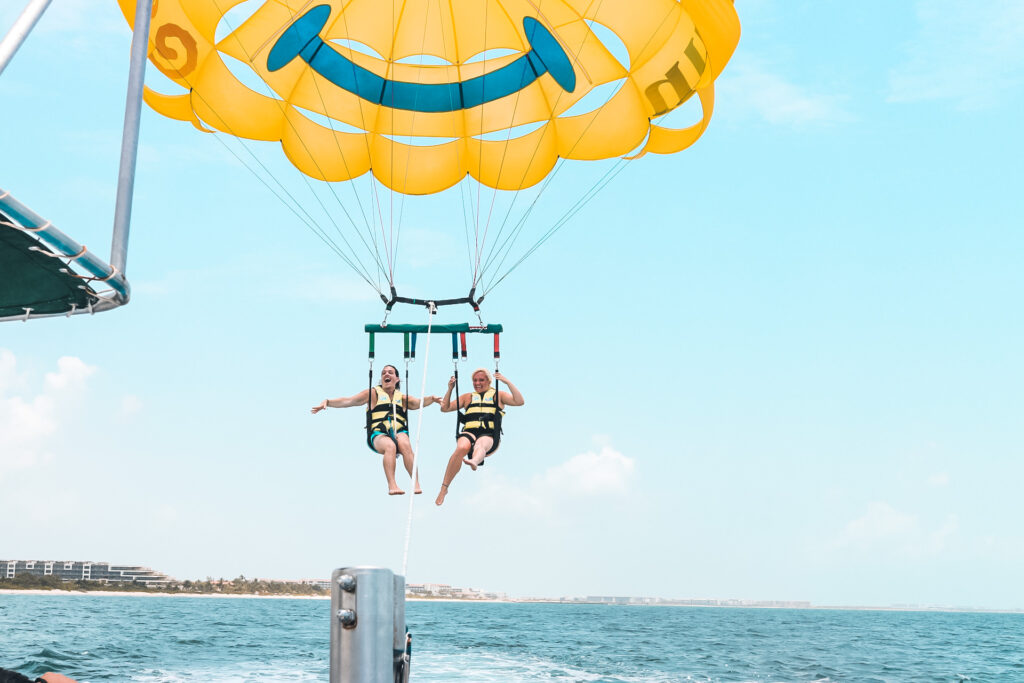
782 365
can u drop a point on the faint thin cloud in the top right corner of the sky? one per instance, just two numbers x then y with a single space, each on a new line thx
970 53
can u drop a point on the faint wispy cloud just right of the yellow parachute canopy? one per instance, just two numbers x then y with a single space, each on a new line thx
754 91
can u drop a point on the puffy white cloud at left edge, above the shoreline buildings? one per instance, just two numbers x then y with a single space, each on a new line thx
28 421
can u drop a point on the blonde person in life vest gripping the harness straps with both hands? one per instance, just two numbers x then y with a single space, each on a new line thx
482 422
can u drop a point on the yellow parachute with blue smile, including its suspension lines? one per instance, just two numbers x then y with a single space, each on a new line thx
418 97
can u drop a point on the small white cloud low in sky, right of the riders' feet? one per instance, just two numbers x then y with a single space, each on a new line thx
594 475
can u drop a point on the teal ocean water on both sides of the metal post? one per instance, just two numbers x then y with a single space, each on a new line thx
223 641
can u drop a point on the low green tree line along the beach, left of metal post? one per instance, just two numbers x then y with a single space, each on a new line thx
239 586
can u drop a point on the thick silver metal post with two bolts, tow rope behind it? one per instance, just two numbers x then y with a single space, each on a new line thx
368 627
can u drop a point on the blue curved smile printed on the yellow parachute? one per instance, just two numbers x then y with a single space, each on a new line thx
303 40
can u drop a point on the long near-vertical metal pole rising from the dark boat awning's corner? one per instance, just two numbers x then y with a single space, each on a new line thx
130 138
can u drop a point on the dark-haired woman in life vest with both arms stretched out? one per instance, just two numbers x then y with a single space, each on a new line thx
388 422
